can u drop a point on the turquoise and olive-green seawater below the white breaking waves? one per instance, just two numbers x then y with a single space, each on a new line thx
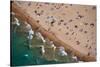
22 55
